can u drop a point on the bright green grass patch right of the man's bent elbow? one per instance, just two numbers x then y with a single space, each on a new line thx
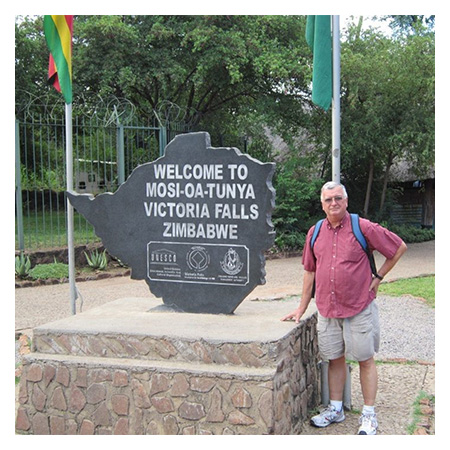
421 287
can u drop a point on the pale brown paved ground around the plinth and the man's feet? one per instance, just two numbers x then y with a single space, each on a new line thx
399 384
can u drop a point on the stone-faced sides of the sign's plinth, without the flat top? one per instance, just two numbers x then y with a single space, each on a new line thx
81 383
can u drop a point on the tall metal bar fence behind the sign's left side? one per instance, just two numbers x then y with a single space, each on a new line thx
104 155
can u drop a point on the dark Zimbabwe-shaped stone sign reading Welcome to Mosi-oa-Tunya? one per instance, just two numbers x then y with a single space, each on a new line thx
194 224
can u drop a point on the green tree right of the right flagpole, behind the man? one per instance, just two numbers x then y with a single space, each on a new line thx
387 107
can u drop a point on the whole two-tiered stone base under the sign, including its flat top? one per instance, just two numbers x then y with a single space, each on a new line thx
123 368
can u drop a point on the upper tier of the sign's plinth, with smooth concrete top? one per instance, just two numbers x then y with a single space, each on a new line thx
128 329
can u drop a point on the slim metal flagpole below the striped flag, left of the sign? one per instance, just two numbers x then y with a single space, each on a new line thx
69 178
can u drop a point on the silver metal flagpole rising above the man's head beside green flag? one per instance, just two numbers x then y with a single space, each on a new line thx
336 104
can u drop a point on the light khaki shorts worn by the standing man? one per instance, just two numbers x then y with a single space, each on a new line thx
356 337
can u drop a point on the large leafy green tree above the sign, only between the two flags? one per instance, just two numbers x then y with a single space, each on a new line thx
207 65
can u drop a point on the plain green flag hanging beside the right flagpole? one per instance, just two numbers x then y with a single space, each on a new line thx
318 37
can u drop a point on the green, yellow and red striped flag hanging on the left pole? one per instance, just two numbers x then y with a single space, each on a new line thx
58 33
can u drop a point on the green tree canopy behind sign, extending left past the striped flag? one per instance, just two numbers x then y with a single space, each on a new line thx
207 71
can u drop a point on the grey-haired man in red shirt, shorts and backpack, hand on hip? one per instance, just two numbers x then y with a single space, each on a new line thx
345 292
